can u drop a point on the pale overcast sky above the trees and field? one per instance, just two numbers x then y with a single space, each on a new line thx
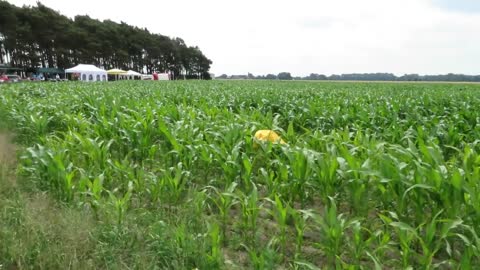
308 36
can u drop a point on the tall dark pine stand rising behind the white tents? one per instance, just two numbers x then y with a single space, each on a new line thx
38 36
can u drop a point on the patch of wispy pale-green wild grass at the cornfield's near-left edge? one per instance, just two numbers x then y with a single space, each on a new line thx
36 226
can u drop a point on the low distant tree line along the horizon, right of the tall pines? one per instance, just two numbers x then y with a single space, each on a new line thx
359 77
